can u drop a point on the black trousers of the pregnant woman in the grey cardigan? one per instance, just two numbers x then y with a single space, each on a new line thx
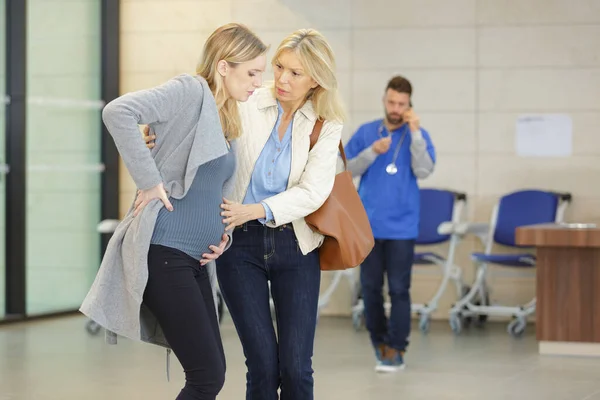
180 296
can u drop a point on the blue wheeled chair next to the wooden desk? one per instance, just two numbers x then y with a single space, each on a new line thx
520 208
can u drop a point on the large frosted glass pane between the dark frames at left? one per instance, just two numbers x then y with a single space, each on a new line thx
63 152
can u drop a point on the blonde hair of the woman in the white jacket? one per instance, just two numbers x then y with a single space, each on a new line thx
317 58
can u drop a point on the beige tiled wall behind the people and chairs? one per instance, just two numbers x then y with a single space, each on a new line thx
475 66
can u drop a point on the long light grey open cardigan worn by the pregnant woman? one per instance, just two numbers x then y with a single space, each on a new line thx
184 115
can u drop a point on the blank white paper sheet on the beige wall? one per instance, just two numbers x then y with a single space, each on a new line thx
544 135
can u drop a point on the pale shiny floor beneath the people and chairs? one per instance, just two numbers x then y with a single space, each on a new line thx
58 360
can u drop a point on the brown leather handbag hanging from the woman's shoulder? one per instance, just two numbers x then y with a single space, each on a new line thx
342 219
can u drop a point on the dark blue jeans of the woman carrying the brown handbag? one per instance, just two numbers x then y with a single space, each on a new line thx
258 255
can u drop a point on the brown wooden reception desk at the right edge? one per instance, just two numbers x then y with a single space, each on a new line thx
568 287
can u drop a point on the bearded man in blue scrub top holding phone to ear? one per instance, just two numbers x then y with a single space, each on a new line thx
389 155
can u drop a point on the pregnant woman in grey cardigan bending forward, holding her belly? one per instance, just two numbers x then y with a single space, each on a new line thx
154 284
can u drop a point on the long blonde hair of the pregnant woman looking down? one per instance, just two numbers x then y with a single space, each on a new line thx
234 43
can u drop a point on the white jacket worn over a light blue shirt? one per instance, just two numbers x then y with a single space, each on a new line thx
311 175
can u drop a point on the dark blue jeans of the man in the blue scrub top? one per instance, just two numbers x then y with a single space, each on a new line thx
396 258
